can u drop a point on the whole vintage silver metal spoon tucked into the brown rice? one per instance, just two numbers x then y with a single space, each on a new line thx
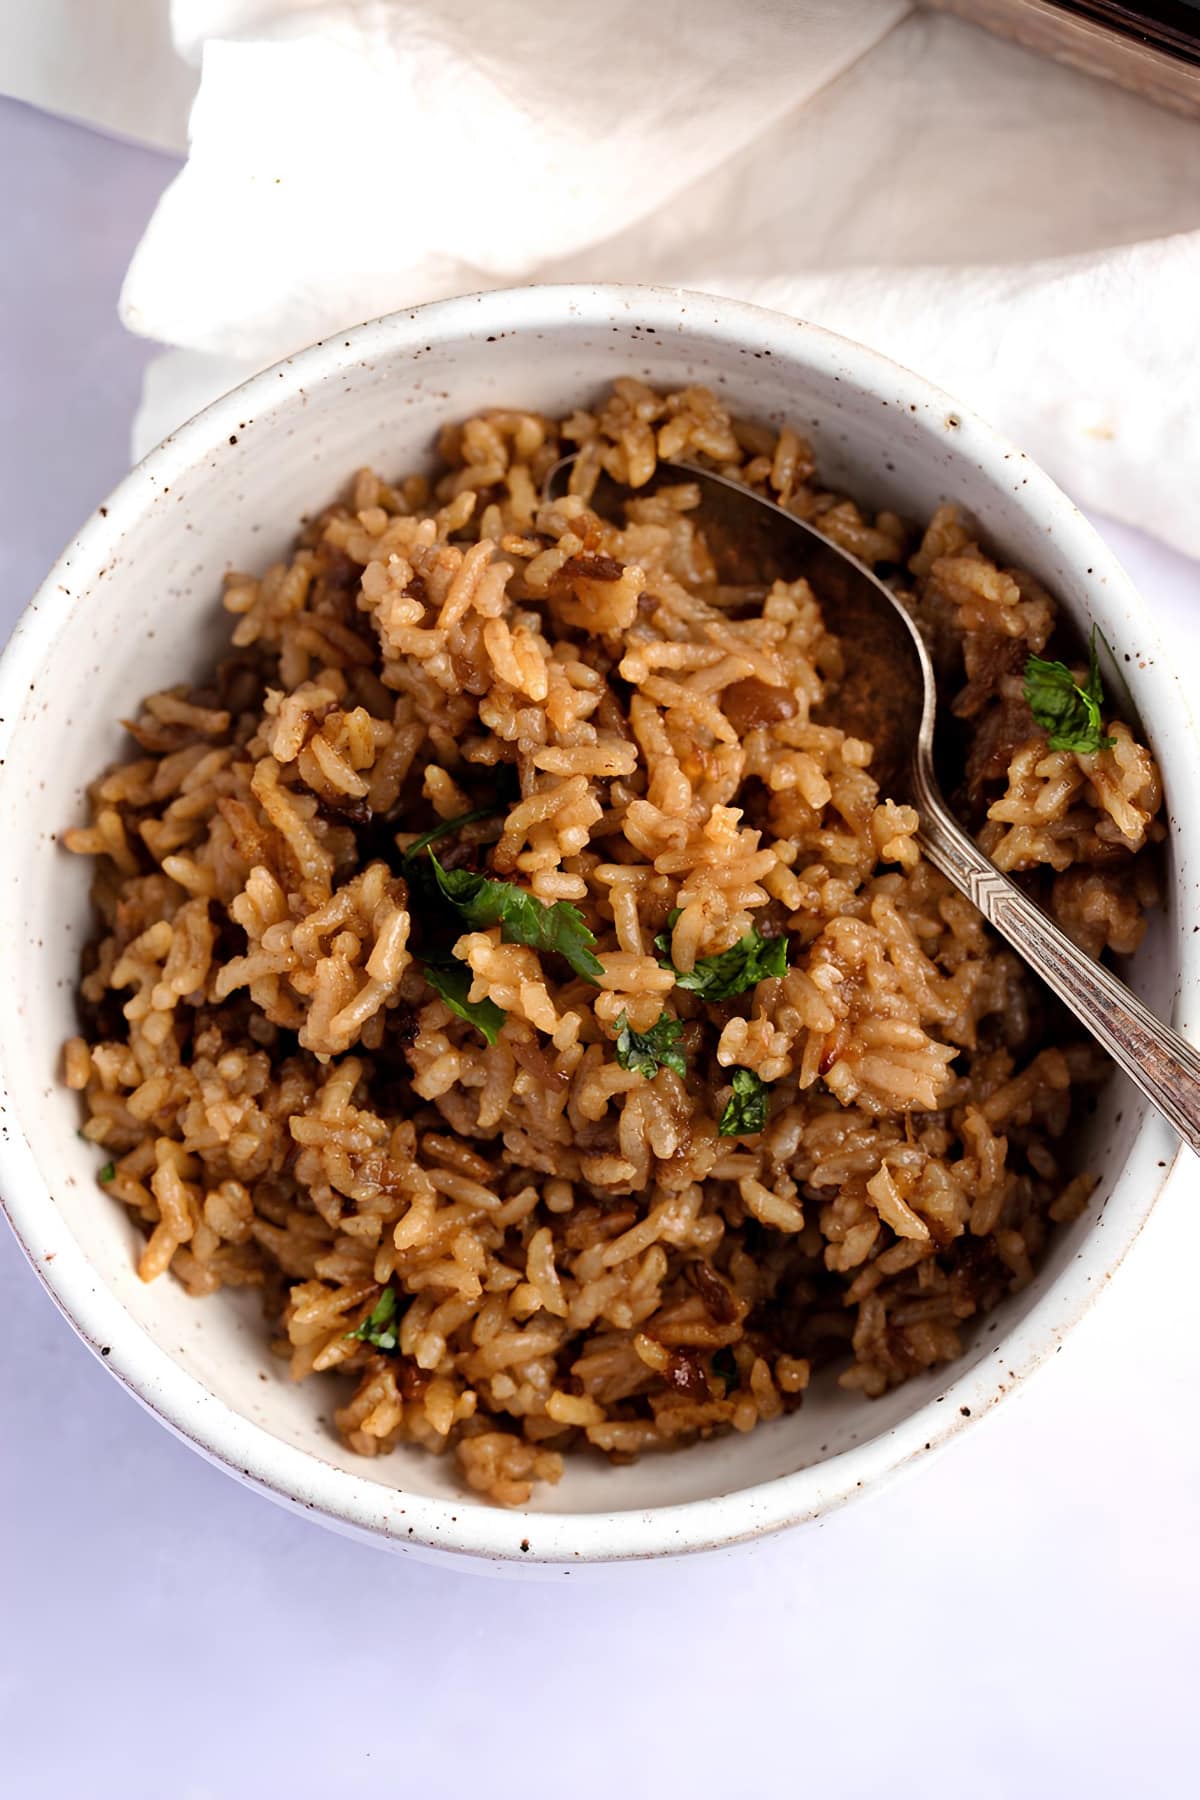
891 699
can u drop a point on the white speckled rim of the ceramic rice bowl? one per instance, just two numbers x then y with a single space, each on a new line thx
301 1479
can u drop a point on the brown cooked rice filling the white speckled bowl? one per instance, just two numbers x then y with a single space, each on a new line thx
580 1259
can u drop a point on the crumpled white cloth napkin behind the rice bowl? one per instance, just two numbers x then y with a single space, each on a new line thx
1025 235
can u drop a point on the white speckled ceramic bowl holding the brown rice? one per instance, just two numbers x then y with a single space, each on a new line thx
134 606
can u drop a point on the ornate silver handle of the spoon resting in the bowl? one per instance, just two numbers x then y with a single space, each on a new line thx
1158 1059
